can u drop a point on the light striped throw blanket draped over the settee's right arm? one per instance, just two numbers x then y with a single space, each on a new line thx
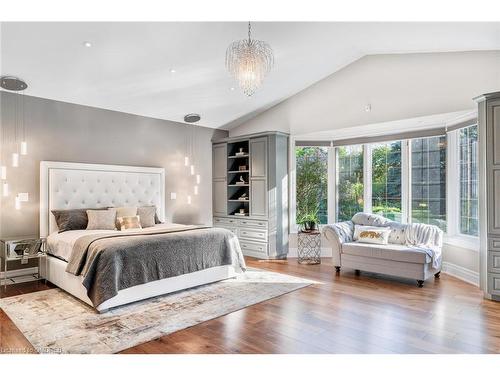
427 238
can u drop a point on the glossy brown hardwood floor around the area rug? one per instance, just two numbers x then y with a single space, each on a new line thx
344 314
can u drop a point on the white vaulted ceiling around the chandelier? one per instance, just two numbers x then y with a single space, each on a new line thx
128 67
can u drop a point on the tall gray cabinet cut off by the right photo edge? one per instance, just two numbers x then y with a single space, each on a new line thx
489 186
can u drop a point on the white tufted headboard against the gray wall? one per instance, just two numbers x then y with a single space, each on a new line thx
77 185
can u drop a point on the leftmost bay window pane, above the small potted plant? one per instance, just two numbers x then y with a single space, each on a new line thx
311 183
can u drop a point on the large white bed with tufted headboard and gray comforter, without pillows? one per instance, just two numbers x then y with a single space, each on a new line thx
76 185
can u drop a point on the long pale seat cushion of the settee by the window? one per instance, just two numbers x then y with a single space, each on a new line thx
396 252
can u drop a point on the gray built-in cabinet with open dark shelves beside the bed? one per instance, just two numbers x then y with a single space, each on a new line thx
250 192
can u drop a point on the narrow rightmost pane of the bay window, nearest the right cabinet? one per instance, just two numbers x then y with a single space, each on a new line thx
468 155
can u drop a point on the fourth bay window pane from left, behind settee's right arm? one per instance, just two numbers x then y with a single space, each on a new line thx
428 181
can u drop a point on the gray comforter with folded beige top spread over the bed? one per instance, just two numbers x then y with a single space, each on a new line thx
112 262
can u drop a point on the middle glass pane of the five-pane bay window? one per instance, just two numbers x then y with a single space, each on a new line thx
386 180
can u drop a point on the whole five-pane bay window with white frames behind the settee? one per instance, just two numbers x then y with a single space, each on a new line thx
408 180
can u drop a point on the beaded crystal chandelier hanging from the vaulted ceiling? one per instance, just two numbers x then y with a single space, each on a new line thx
248 61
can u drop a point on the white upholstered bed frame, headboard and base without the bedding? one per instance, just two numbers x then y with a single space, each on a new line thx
76 185
